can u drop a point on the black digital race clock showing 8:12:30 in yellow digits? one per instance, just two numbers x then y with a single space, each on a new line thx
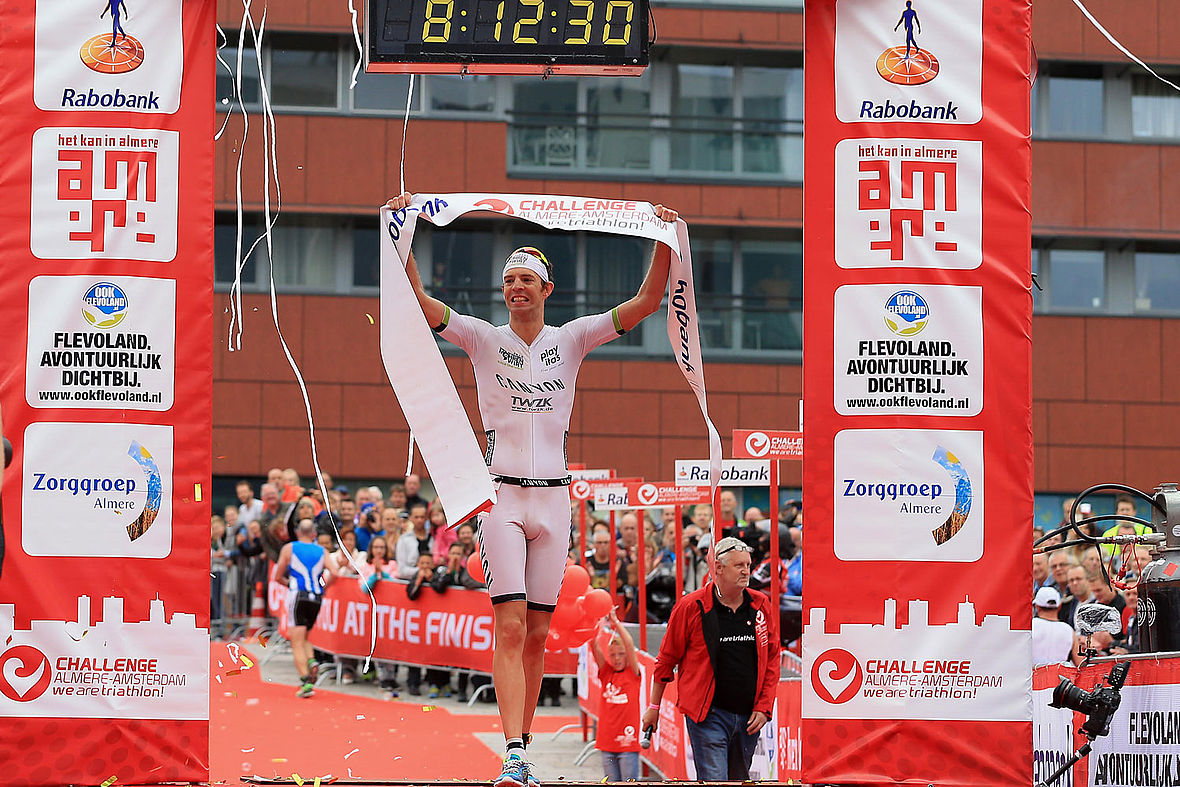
508 36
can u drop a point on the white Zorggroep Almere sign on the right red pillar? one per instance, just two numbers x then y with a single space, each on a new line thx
909 495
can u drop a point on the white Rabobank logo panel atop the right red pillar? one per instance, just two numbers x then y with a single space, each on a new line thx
909 61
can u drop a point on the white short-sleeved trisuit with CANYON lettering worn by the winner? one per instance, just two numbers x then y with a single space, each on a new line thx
526 398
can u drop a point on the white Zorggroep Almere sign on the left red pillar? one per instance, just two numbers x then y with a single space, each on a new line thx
109 496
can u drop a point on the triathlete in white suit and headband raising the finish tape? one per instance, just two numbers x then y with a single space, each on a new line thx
526 373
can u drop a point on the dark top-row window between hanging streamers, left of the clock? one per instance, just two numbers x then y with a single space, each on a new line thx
305 71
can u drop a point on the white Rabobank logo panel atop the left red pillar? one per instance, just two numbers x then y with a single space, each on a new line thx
103 58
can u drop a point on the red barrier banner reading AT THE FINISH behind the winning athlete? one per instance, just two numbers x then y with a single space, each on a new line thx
450 629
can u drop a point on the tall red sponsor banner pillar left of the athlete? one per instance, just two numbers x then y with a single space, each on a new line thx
106 390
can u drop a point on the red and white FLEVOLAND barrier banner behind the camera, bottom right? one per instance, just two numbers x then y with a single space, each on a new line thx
1143 749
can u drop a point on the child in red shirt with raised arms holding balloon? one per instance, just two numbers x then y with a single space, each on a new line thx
619 712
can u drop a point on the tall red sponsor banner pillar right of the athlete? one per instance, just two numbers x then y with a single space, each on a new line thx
919 473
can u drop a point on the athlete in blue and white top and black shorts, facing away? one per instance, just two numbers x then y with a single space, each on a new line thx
303 563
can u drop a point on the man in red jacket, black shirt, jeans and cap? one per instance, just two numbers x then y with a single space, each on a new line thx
723 642
